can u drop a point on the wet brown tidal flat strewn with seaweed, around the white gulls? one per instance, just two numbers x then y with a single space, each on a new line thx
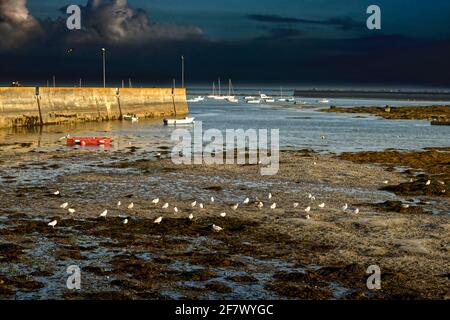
260 254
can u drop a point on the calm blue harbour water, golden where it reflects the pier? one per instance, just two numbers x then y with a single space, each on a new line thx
299 127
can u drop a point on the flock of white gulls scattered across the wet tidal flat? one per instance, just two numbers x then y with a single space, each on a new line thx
195 204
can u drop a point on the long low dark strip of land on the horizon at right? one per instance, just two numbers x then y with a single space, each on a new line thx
391 95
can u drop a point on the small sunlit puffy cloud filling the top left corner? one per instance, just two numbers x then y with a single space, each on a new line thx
17 26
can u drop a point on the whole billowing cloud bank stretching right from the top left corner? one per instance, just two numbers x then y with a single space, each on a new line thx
106 22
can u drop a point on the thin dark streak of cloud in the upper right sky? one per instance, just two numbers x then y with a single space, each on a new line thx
343 23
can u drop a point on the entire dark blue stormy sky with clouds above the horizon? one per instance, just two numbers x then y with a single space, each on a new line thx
304 42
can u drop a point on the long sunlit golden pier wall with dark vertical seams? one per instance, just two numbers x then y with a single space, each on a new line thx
27 106
